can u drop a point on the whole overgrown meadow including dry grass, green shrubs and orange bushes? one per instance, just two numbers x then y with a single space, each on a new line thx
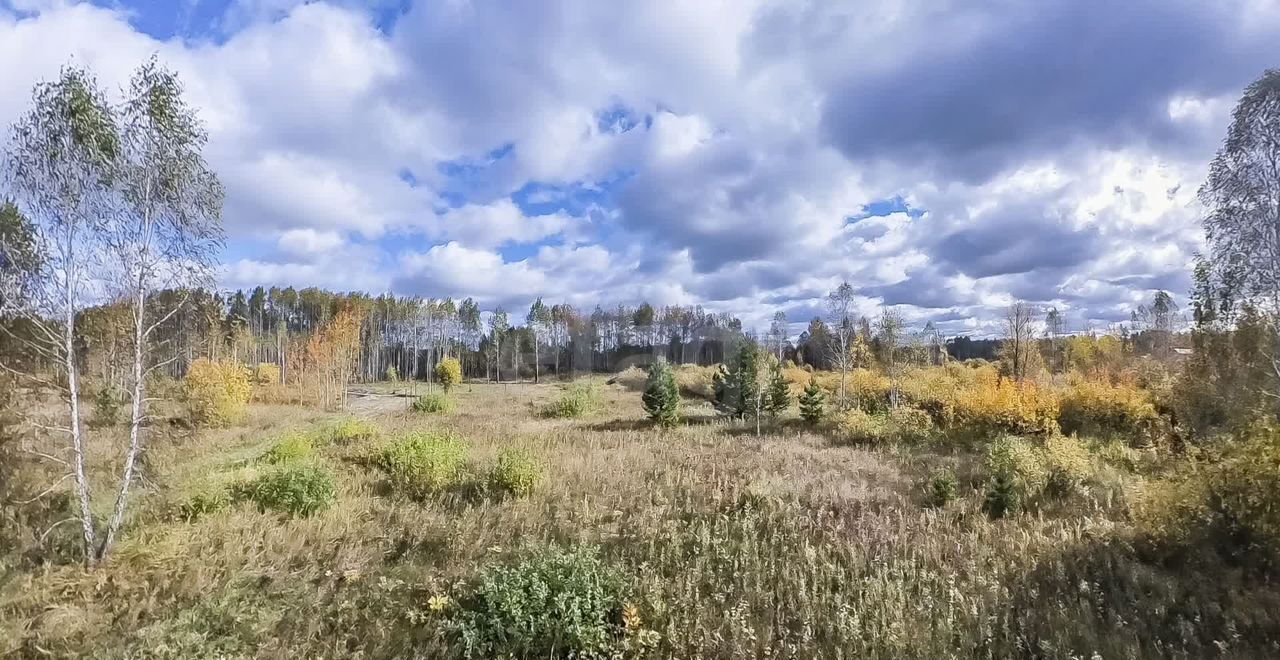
538 521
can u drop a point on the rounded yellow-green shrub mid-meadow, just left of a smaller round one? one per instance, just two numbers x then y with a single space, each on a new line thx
423 464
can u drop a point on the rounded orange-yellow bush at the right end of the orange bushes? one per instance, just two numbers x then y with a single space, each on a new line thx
1092 407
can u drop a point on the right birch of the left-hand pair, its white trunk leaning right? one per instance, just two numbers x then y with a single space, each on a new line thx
168 235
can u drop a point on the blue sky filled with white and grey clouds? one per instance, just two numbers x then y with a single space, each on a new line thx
945 158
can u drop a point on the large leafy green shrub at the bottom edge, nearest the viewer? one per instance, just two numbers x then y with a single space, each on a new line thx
550 604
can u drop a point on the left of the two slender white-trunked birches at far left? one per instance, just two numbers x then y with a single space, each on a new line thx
60 168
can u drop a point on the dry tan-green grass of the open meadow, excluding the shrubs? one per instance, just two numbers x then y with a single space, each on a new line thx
725 546
